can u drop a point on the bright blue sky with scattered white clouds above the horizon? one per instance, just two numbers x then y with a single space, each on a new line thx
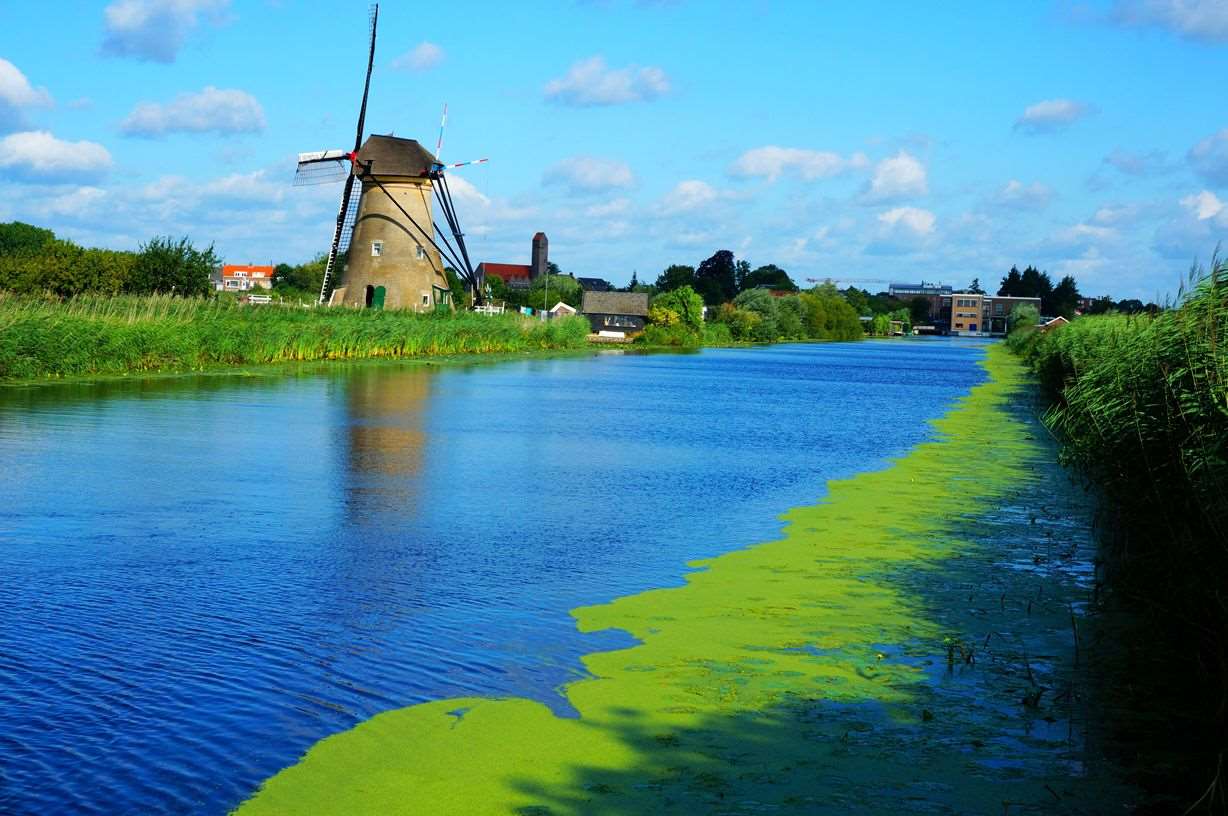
863 142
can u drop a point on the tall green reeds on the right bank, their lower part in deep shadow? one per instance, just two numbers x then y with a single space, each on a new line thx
1141 407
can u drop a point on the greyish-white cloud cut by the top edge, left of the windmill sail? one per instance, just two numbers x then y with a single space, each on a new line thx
154 30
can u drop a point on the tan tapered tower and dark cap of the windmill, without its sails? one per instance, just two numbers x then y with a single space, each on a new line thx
391 265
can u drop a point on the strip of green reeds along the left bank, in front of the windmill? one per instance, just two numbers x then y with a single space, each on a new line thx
89 336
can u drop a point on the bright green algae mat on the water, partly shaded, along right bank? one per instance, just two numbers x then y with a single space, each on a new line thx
836 670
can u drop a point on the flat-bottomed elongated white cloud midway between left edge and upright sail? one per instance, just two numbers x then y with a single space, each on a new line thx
209 111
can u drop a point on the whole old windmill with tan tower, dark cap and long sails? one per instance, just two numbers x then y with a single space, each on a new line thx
387 251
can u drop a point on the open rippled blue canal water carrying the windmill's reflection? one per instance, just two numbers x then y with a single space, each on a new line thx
202 577
